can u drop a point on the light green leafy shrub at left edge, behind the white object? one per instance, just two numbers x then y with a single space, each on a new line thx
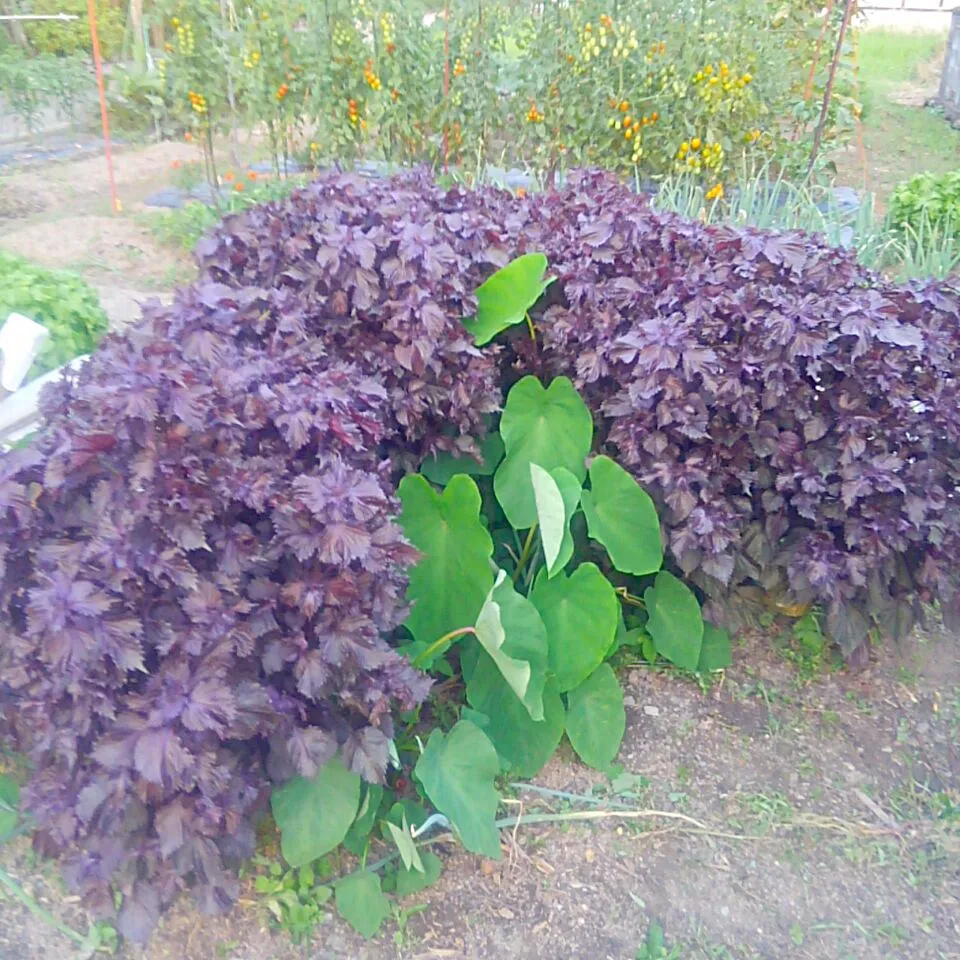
61 301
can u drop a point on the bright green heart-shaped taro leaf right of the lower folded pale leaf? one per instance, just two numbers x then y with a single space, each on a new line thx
581 613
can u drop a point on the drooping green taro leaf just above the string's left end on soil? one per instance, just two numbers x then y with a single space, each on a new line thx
457 771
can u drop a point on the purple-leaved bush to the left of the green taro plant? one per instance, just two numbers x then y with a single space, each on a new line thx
198 556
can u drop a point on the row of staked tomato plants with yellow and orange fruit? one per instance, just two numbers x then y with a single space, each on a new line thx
641 87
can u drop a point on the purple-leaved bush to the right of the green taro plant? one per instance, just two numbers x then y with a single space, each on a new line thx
796 416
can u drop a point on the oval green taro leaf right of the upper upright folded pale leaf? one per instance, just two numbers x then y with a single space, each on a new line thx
623 518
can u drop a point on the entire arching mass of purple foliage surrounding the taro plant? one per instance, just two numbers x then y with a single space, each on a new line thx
198 556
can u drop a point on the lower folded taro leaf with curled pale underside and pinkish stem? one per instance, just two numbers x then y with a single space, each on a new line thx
515 639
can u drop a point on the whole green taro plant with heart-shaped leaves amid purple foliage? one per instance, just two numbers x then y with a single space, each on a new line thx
538 563
